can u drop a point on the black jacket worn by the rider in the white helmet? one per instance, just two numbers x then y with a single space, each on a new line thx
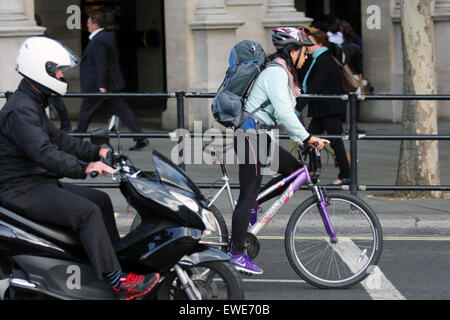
32 149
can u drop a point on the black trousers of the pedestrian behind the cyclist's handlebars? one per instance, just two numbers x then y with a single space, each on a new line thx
333 126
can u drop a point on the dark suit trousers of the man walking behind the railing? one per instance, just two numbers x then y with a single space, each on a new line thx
116 106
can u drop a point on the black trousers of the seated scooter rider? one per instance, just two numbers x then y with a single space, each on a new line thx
86 211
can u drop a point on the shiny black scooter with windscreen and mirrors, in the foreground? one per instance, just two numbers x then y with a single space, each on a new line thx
40 261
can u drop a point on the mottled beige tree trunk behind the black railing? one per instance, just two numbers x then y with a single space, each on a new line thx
419 160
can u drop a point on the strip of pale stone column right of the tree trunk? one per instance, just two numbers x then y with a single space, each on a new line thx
441 17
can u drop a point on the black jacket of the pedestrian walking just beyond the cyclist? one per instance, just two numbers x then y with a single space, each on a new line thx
324 78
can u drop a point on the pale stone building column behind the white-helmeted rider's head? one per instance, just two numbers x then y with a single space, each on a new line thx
15 27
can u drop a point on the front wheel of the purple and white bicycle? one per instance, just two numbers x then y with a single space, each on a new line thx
320 261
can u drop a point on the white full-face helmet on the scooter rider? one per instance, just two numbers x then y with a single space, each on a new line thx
38 59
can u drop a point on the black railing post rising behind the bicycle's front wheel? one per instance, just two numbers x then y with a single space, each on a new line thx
353 101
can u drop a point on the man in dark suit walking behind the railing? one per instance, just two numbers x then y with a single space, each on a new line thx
100 72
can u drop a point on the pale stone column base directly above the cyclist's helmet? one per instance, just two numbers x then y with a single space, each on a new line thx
282 13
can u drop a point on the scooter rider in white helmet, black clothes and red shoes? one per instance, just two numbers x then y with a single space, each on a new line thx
35 155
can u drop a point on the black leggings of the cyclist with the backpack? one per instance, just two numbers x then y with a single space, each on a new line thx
250 180
